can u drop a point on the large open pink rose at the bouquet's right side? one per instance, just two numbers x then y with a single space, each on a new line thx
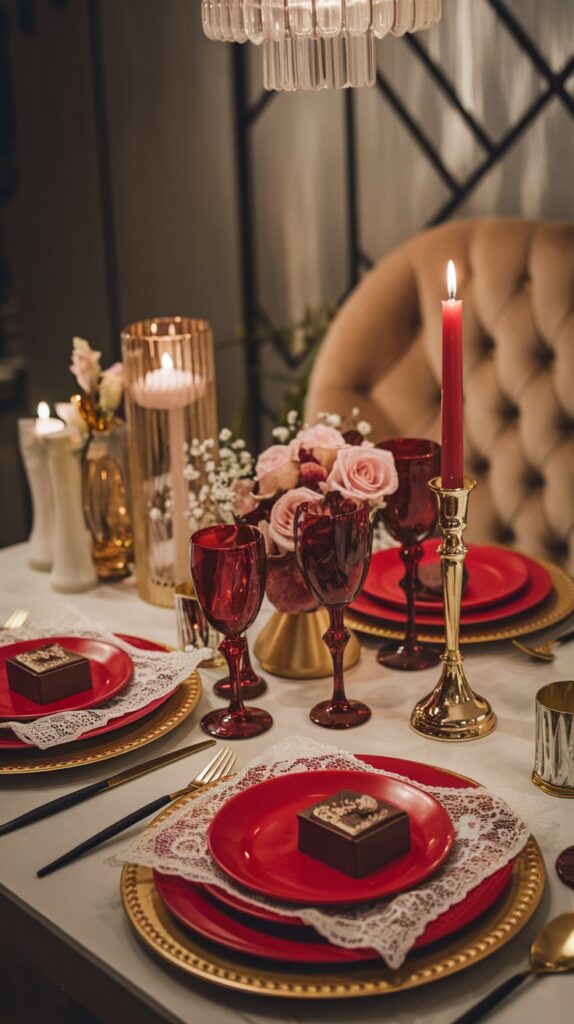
367 474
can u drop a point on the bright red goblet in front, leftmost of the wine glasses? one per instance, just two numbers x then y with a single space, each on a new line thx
229 566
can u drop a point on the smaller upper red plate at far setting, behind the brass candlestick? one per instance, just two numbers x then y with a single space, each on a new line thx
495 576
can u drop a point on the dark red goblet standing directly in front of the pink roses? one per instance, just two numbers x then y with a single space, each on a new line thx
333 541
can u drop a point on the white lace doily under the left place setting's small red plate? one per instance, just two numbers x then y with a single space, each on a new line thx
155 675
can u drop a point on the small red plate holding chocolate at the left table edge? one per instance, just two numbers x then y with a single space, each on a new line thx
111 670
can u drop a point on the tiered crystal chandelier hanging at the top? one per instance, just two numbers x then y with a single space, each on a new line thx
317 45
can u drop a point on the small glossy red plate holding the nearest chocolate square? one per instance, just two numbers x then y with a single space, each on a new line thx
253 839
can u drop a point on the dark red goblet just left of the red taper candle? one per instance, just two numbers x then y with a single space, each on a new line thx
410 516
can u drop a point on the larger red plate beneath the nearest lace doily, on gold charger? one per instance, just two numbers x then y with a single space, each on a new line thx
294 943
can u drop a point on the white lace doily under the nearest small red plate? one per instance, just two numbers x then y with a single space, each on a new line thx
489 834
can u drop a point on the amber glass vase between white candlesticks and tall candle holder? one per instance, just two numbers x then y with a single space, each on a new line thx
106 501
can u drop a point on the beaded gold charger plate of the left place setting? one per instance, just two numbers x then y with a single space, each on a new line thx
171 714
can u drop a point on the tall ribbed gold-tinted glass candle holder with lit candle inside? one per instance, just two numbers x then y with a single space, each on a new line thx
170 401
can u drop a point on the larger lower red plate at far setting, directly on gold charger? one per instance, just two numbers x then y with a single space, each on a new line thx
538 589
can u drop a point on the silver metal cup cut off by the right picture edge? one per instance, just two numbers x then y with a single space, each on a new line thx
554 764
